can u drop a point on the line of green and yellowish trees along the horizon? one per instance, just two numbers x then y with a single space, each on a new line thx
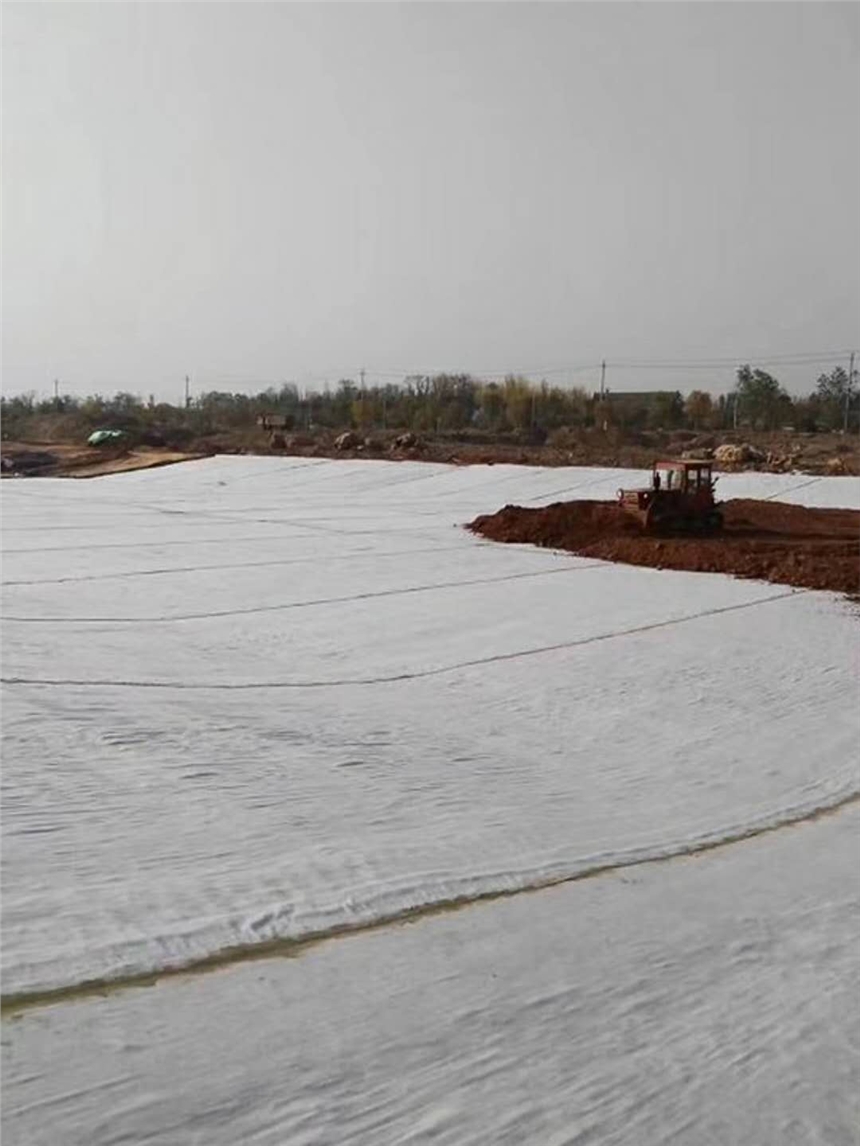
444 404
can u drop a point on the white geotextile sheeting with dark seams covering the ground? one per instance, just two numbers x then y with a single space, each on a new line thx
293 762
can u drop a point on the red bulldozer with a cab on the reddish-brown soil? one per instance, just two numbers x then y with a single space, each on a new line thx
679 499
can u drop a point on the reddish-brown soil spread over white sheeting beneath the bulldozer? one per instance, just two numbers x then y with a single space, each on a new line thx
791 545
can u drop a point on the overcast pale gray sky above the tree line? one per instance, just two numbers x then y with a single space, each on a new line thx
254 193
